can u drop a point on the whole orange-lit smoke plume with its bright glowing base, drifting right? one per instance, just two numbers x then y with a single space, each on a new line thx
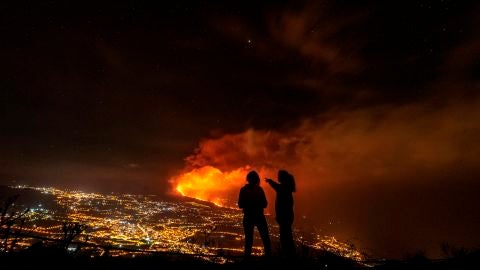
341 156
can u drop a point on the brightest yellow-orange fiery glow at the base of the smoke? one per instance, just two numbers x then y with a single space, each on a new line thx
209 183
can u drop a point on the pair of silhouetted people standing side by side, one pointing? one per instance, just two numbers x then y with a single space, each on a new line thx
253 202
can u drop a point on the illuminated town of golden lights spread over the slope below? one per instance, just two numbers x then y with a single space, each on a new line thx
130 224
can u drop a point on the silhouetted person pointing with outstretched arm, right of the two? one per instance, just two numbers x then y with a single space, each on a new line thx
284 189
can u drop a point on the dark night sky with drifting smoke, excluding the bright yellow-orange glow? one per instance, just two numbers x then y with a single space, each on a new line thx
374 106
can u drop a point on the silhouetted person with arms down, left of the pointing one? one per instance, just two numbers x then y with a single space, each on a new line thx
253 201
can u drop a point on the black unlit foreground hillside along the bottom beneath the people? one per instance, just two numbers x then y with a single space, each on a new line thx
49 258
